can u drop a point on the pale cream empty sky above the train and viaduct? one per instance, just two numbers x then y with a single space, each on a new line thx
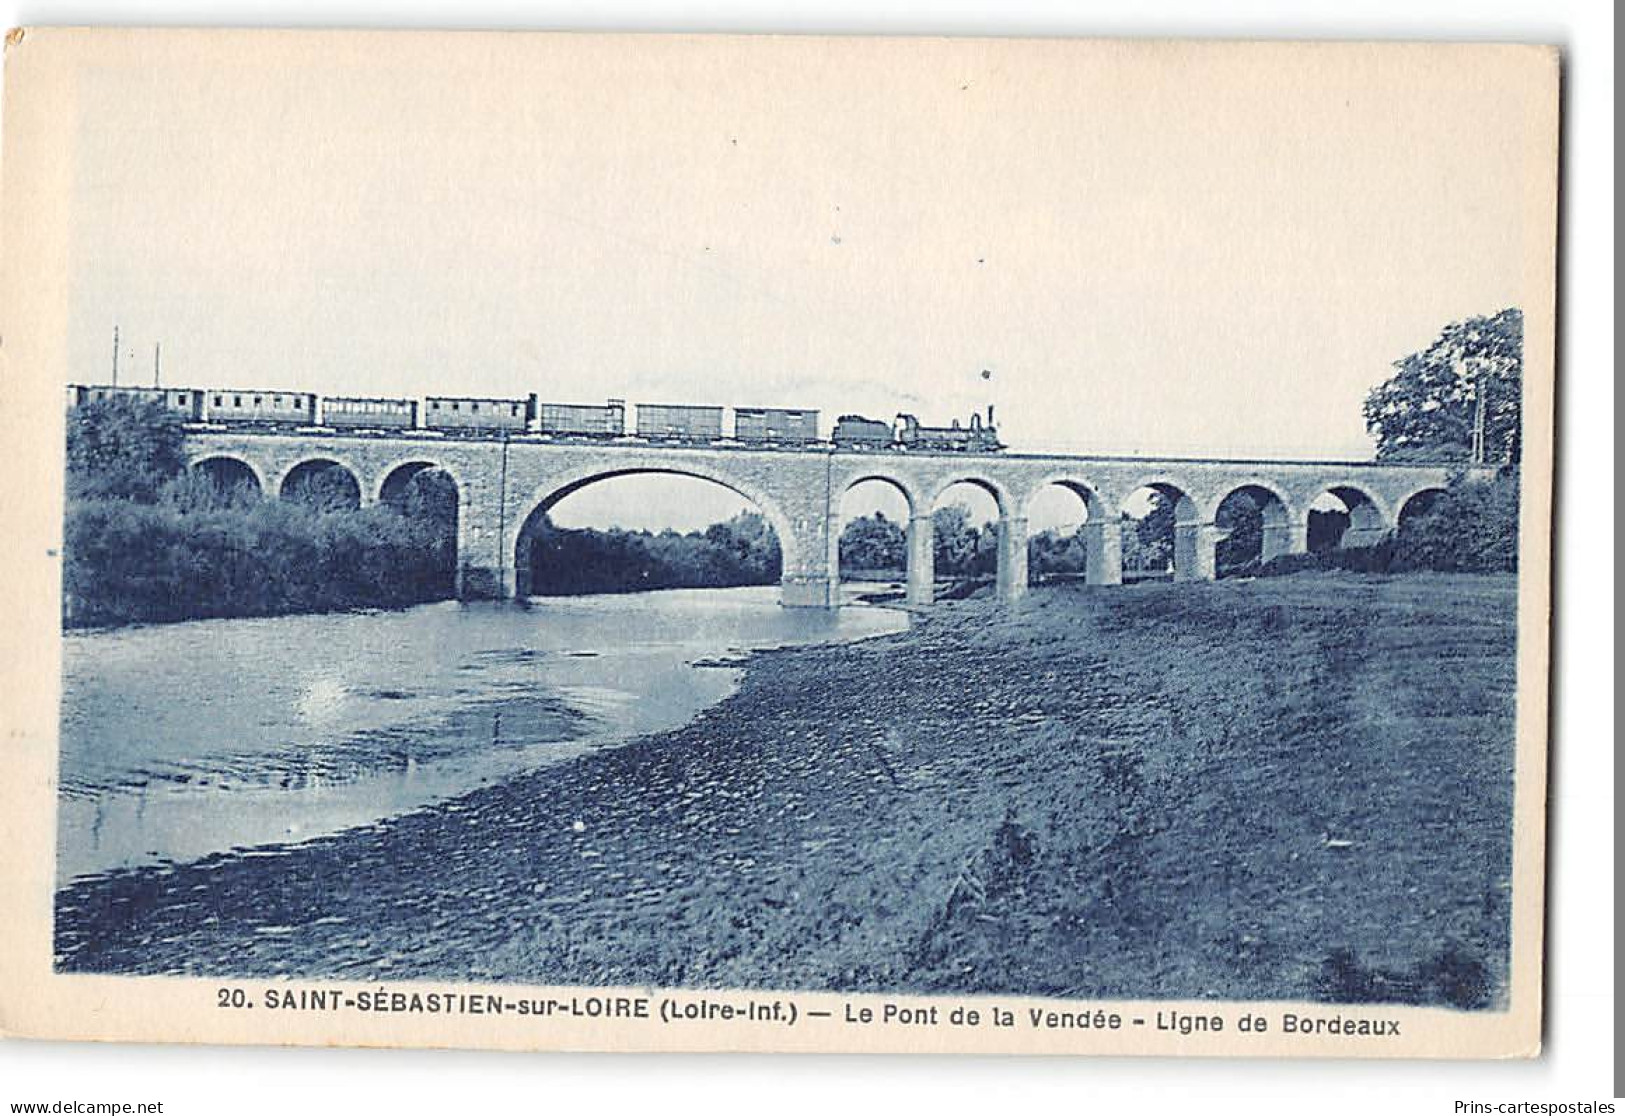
1151 248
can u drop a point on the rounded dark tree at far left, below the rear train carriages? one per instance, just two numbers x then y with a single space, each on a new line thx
124 449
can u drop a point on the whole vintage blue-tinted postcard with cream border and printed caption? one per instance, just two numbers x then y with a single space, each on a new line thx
586 542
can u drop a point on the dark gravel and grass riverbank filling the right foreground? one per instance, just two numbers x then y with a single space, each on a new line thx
1276 789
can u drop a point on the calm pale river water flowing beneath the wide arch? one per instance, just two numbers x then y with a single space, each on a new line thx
186 740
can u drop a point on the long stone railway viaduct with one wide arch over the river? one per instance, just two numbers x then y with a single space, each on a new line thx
505 488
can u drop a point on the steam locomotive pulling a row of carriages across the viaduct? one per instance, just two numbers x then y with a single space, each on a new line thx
532 418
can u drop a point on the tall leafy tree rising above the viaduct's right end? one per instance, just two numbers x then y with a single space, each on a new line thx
1429 409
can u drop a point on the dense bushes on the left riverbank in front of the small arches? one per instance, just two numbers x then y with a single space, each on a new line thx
145 540
